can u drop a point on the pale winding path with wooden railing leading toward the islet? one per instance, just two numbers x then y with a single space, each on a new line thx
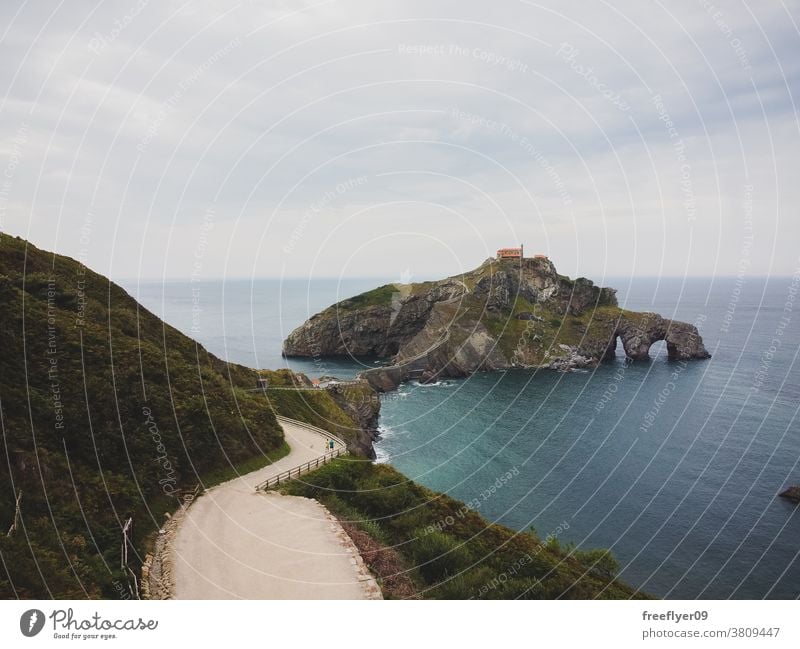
237 543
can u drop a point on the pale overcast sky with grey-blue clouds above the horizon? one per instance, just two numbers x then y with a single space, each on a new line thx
413 138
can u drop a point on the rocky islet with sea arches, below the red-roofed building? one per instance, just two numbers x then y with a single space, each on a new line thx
503 314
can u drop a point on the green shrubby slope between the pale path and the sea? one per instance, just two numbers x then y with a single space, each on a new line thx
453 552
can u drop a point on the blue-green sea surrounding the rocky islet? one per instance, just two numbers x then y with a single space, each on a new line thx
674 466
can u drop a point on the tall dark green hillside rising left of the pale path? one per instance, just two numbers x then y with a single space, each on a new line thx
88 456
